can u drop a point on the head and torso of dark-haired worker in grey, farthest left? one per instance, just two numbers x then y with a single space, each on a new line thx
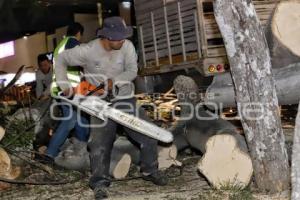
43 77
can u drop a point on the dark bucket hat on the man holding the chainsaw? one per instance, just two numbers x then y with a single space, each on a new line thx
114 28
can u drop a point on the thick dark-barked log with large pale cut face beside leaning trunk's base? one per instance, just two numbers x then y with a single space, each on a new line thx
228 163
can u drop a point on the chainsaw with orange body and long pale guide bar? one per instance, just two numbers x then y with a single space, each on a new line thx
85 100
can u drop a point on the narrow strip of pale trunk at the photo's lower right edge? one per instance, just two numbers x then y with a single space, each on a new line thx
296 160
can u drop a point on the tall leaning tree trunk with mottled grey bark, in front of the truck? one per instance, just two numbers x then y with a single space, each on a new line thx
249 59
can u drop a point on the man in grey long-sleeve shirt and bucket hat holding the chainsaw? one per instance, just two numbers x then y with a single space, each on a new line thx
110 59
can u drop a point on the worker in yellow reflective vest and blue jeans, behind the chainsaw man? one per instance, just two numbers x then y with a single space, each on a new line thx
69 120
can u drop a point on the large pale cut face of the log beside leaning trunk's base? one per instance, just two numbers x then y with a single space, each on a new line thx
224 163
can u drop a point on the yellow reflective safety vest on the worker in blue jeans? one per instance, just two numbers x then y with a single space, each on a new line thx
73 73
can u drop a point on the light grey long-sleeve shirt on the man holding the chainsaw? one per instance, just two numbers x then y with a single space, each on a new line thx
100 65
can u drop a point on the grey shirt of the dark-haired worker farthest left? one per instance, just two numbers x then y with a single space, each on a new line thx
43 82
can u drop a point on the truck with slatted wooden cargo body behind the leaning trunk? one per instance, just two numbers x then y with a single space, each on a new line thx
180 34
